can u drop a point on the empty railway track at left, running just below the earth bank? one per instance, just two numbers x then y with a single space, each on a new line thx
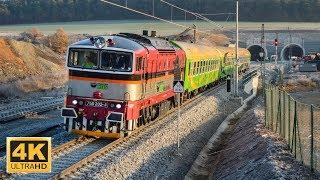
19 110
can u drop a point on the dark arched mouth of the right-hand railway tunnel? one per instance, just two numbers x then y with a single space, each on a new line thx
293 49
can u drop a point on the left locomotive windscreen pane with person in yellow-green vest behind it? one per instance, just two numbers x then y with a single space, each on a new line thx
83 58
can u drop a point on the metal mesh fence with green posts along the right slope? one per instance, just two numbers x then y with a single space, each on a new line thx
296 122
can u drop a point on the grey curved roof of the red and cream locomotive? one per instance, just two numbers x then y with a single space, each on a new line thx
130 42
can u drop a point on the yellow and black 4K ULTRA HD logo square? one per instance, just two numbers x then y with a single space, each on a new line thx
28 154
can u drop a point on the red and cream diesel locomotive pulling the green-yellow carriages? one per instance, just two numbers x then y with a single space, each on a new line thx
119 82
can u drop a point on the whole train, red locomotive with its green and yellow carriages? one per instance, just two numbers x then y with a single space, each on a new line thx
120 82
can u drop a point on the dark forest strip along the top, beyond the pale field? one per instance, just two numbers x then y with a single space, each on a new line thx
39 11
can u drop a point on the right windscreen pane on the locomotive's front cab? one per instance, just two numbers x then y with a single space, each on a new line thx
116 61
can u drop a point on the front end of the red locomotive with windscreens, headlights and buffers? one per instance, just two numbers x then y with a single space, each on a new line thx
101 85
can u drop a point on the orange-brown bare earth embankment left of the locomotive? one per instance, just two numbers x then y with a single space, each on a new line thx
25 67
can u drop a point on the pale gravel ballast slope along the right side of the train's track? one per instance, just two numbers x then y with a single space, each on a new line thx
153 155
